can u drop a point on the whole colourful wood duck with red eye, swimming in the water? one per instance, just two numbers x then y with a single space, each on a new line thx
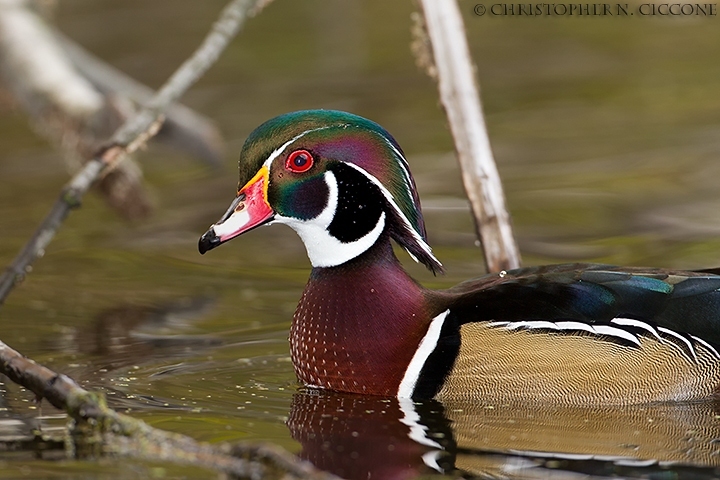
576 334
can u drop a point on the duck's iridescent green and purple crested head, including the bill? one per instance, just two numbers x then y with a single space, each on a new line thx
339 180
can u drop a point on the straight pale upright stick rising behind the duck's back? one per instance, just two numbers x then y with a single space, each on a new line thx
459 94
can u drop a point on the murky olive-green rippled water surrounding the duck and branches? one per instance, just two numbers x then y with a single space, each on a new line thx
605 131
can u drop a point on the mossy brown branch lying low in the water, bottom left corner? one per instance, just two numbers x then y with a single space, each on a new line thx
119 434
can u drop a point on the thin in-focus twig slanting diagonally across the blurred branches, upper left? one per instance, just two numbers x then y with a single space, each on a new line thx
131 135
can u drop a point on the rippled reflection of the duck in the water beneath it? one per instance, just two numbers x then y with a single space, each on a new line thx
362 437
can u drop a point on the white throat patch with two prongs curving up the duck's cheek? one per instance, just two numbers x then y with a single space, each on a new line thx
323 249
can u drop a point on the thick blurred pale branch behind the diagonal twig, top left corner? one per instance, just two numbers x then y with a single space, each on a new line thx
62 105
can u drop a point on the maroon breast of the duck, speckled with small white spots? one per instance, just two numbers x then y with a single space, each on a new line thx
336 336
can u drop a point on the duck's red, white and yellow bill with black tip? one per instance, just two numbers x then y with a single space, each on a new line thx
250 209
